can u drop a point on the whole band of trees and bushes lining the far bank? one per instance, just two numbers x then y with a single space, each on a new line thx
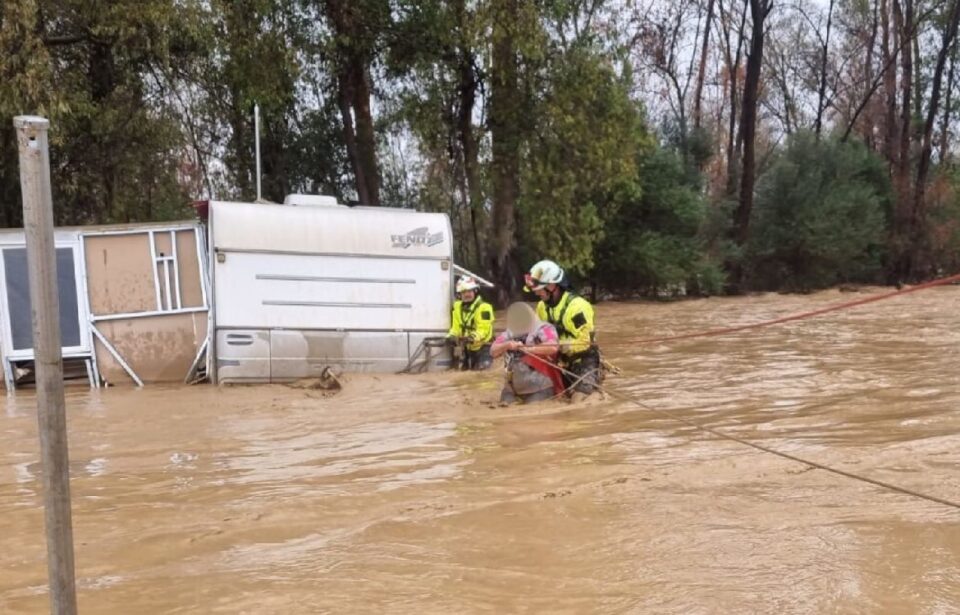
652 147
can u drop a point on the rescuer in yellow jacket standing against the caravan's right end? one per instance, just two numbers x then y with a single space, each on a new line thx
472 326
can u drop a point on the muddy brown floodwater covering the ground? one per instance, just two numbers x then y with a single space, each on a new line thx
415 495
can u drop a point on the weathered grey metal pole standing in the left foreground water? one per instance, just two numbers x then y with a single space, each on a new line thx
51 414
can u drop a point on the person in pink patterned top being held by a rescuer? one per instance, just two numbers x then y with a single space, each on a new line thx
530 346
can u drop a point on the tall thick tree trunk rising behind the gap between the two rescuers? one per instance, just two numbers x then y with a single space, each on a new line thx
504 119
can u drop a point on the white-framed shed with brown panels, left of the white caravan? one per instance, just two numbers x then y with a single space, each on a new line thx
133 303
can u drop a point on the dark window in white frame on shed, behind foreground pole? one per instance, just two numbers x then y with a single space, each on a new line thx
18 298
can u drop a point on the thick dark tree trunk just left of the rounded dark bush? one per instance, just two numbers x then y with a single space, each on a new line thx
748 123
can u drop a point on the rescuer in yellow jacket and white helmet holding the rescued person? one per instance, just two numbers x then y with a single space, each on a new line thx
572 315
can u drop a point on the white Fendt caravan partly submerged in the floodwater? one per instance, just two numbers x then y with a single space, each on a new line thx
310 284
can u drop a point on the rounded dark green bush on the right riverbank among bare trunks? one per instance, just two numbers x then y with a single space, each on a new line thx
819 218
